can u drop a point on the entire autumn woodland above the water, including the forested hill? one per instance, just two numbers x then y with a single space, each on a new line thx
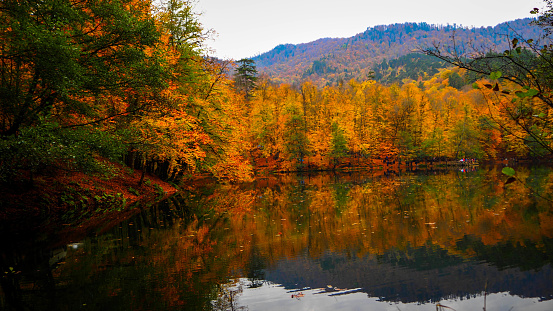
84 84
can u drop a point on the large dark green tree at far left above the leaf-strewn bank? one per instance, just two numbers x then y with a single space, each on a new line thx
66 67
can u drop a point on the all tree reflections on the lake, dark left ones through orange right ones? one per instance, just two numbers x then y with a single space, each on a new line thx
178 251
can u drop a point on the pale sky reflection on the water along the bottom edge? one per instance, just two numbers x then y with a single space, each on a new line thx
274 297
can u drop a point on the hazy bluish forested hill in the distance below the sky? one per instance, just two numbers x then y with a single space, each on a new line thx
382 52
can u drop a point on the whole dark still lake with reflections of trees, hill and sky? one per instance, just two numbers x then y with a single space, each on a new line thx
418 241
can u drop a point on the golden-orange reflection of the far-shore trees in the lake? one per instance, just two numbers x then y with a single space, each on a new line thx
375 217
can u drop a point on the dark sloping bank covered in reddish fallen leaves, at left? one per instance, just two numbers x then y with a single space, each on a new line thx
69 199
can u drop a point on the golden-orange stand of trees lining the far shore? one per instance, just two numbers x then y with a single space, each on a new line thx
417 121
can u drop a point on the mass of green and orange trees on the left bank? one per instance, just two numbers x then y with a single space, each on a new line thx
83 81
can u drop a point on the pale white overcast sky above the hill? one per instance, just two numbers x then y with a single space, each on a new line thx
246 28
